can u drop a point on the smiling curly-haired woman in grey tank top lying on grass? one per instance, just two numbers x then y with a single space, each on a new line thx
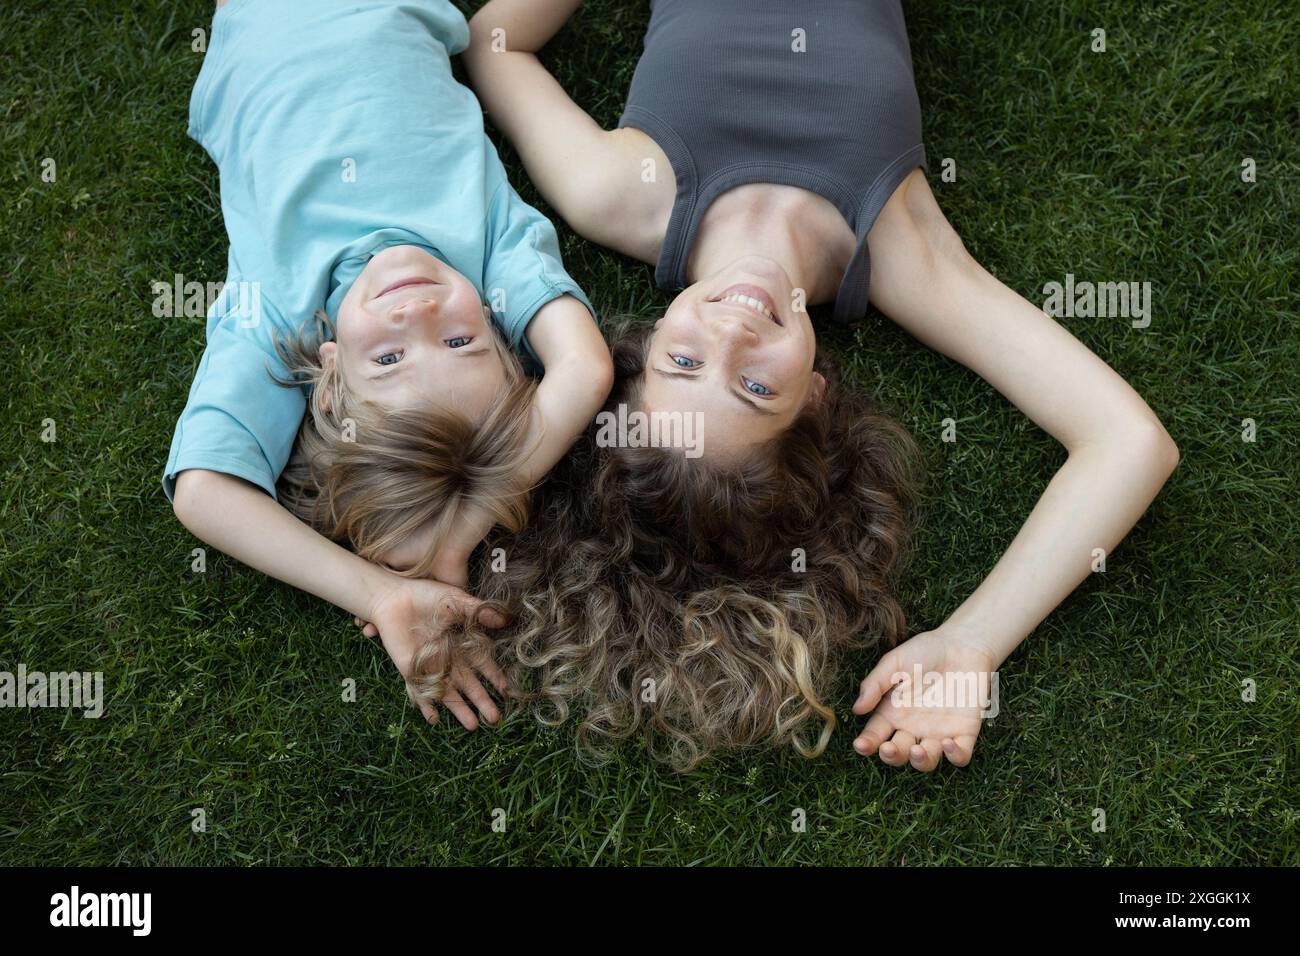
770 158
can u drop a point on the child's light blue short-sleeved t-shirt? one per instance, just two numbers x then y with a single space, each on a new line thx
340 132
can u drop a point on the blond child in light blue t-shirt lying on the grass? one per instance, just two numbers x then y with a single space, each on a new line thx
358 187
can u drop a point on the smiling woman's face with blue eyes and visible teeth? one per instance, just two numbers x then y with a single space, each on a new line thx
734 349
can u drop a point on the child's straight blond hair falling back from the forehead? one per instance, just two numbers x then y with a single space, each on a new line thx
370 477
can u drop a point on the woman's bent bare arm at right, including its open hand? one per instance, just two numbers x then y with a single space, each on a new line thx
1119 458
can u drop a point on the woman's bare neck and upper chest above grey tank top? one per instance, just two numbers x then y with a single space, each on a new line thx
799 230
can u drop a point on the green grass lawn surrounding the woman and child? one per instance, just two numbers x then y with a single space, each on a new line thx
224 689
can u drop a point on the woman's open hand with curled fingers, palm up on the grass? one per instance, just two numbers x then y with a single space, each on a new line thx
908 726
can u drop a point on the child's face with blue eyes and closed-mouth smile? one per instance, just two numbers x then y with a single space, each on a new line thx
413 331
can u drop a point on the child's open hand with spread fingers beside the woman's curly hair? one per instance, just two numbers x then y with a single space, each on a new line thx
415 612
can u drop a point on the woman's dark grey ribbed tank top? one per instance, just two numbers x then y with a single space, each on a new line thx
817 94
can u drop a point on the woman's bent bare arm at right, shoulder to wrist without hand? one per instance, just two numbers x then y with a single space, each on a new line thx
1120 455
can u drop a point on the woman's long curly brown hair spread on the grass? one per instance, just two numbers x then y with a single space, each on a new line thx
708 607
